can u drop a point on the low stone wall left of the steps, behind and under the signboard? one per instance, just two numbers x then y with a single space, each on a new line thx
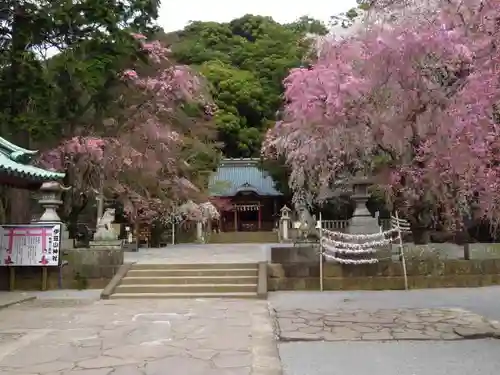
86 268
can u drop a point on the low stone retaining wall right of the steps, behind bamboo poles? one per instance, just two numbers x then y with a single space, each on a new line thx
385 275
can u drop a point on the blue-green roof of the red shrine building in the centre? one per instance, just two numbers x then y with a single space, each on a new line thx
236 175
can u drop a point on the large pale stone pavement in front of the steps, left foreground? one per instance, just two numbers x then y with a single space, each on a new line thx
137 337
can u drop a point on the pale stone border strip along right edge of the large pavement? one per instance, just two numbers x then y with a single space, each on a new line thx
266 360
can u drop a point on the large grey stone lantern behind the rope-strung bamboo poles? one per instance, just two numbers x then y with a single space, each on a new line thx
362 221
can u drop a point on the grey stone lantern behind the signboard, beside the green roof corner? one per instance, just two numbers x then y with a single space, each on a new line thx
50 200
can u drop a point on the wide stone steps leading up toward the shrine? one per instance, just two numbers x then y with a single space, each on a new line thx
197 280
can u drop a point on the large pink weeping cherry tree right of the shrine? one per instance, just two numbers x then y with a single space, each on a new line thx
414 102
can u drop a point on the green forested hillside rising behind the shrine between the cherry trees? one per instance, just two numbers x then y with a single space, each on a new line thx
245 62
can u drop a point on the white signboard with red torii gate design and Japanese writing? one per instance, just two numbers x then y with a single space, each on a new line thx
30 245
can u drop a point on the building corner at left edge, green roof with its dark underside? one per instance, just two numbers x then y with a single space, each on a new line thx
16 172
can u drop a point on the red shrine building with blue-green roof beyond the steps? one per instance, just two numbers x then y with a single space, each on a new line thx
251 203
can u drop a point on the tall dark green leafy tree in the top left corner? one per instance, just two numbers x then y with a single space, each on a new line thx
33 96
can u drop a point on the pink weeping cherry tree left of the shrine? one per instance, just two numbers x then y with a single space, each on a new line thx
137 155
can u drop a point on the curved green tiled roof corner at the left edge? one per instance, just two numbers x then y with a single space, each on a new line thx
14 159
